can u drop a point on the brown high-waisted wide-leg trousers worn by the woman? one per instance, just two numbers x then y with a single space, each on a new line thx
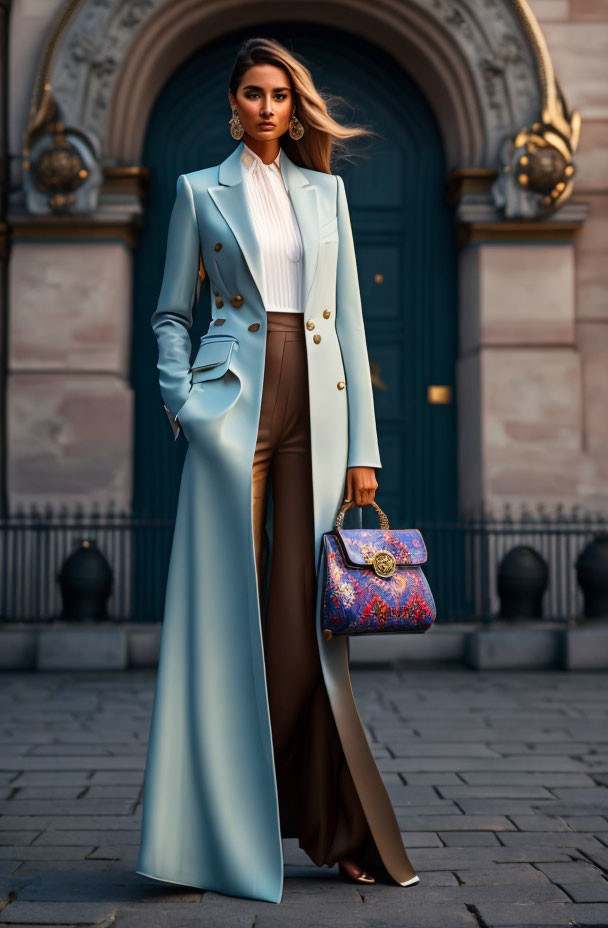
318 801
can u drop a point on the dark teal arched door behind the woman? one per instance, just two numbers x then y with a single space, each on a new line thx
405 253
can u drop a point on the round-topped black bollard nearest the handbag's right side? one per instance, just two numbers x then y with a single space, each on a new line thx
522 580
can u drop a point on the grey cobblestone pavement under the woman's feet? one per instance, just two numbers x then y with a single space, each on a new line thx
498 780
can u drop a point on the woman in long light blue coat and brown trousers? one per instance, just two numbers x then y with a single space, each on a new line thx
255 735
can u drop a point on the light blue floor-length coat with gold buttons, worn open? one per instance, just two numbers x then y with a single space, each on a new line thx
210 808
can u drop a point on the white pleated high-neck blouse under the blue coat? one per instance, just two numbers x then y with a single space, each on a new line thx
277 232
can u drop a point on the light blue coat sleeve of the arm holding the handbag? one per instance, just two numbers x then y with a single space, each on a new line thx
362 437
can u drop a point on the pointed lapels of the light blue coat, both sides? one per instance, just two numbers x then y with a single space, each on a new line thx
229 197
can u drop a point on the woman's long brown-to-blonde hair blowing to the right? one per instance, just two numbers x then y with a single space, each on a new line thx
322 133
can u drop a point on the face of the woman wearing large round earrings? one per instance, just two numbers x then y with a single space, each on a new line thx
264 96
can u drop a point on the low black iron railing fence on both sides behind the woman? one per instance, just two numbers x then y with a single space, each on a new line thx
462 567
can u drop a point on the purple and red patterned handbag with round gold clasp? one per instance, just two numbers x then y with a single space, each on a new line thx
372 580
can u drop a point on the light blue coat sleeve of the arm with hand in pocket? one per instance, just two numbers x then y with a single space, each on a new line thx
173 316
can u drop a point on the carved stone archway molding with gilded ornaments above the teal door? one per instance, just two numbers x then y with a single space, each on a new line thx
483 65
